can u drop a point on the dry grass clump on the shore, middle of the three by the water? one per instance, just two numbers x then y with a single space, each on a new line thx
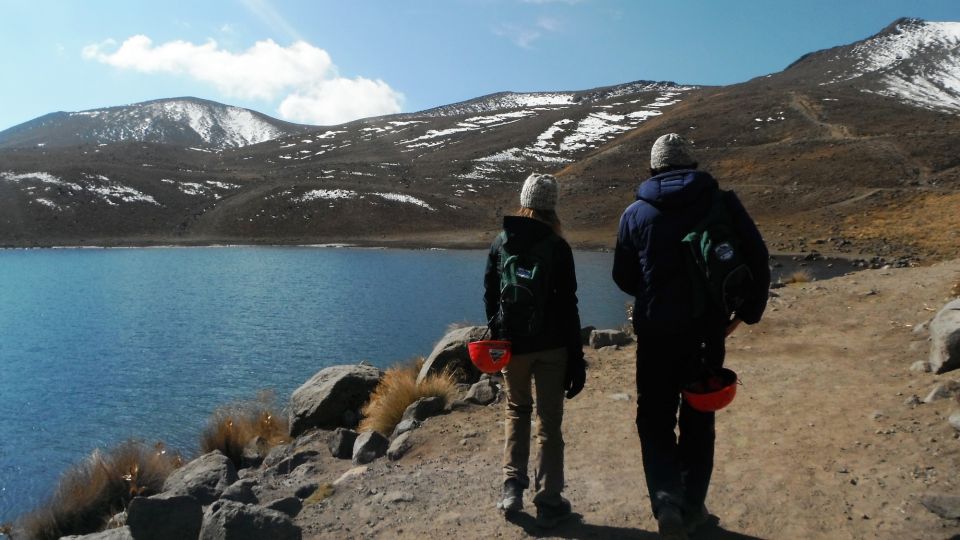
232 427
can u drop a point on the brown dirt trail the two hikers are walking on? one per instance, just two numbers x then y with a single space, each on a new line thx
819 443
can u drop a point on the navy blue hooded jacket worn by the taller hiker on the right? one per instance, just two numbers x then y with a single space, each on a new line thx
649 260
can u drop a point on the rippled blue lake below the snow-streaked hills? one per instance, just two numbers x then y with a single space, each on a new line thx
97 346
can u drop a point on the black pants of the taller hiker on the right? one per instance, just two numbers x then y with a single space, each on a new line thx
677 469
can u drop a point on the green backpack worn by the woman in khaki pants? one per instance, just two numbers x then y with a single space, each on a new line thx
524 288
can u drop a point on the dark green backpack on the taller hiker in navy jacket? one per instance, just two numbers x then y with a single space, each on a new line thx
715 261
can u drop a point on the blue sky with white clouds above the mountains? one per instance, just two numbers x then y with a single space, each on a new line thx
324 62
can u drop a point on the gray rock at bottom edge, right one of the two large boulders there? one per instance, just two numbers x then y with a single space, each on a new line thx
229 520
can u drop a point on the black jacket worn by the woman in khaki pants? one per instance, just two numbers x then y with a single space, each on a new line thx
562 318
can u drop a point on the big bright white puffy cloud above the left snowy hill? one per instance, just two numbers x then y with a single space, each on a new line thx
301 75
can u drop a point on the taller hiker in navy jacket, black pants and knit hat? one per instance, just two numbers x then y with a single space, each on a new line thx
674 345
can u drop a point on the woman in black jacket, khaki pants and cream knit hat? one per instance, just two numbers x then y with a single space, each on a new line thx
552 356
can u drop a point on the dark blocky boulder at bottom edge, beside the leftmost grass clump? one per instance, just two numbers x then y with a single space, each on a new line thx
161 517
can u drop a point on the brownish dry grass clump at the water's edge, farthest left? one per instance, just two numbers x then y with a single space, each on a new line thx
91 492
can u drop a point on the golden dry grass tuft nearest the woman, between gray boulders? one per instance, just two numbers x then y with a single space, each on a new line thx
397 390
